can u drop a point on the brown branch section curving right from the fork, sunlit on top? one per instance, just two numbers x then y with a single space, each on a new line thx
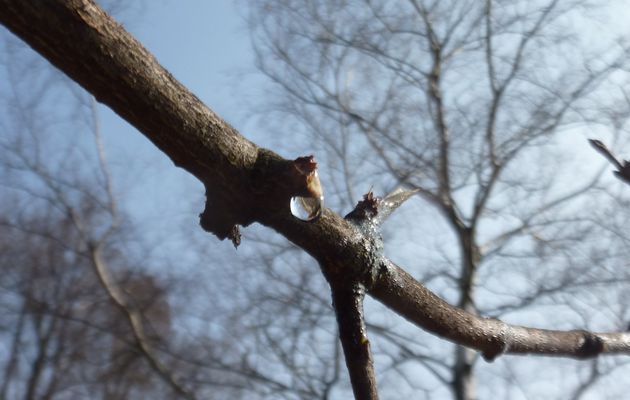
399 291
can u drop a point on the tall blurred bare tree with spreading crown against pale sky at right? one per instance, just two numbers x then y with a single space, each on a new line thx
485 107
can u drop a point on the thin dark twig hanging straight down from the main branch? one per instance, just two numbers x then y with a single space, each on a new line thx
348 303
